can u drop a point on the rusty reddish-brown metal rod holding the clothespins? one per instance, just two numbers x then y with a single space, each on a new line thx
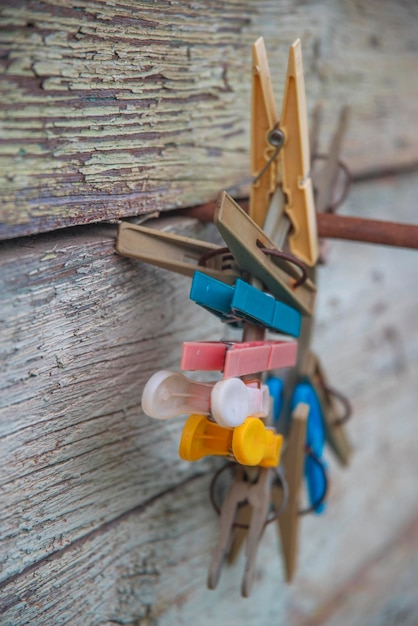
332 226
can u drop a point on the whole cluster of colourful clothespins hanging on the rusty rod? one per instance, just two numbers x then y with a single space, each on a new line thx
272 411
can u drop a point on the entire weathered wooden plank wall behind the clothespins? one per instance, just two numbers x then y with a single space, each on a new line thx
115 109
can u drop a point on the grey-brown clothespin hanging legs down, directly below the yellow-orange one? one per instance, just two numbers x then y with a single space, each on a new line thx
258 496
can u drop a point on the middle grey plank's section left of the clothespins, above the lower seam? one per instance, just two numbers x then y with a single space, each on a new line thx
82 330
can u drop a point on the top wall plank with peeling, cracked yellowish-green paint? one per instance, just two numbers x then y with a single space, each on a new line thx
114 109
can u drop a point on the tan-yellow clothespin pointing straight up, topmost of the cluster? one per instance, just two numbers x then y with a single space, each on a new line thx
284 144
